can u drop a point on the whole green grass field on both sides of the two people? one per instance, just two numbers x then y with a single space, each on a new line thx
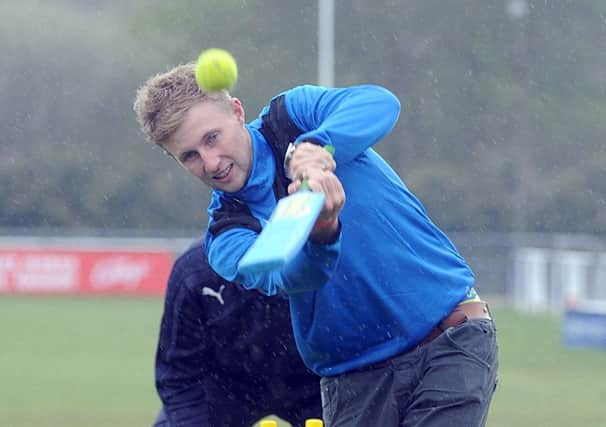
89 362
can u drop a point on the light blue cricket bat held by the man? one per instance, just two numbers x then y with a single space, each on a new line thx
286 231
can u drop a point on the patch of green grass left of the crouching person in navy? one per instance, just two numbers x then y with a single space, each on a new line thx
77 362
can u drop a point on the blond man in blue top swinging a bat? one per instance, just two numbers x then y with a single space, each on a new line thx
383 306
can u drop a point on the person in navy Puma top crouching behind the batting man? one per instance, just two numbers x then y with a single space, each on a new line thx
226 356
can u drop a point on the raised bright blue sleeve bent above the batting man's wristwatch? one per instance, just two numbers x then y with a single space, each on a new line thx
352 119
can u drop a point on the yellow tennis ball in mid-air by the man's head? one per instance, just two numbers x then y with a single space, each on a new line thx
216 69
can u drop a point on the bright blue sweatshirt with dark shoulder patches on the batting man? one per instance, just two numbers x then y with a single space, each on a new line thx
391 275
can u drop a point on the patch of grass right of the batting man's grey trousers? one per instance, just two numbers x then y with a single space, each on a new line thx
541 382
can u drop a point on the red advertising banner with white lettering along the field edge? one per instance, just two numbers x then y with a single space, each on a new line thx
108 272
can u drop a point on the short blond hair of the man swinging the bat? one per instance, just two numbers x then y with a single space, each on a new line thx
162 102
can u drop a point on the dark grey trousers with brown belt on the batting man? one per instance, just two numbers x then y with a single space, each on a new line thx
448 382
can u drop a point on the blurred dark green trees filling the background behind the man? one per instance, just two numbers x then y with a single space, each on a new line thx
501 126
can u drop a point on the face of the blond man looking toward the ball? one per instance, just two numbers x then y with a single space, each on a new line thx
213 145
